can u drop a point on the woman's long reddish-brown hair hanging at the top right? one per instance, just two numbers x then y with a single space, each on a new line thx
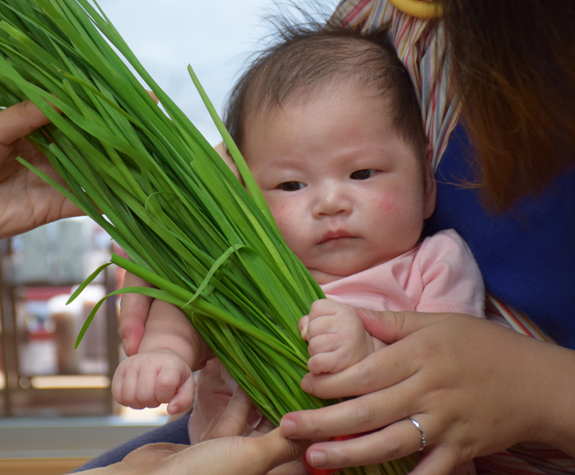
514 67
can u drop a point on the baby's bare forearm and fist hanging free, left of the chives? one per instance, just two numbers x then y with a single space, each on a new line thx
161 370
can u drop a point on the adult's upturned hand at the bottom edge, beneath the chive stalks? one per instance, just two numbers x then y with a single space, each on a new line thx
225 453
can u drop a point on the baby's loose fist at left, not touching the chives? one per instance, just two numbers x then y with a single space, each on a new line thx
152 378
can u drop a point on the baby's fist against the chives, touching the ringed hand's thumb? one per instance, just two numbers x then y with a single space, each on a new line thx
336 336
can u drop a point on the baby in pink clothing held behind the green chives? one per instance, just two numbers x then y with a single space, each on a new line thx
330 127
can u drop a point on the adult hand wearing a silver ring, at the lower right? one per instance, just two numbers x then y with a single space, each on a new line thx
474 386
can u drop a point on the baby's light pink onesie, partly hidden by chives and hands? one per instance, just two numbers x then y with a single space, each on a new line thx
439 275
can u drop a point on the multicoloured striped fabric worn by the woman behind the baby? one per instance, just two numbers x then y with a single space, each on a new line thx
420 44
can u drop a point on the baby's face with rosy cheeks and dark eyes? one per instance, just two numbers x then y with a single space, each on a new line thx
346 191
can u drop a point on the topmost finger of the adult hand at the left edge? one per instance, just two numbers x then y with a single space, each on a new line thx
20 120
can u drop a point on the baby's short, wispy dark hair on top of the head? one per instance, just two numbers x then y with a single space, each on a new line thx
306 57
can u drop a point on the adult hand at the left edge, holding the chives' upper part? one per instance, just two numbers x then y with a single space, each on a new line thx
26 201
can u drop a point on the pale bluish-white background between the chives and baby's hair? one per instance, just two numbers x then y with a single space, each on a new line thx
214 36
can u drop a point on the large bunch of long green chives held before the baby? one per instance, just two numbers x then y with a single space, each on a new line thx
151 180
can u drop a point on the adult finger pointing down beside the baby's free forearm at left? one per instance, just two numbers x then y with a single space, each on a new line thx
134 312
